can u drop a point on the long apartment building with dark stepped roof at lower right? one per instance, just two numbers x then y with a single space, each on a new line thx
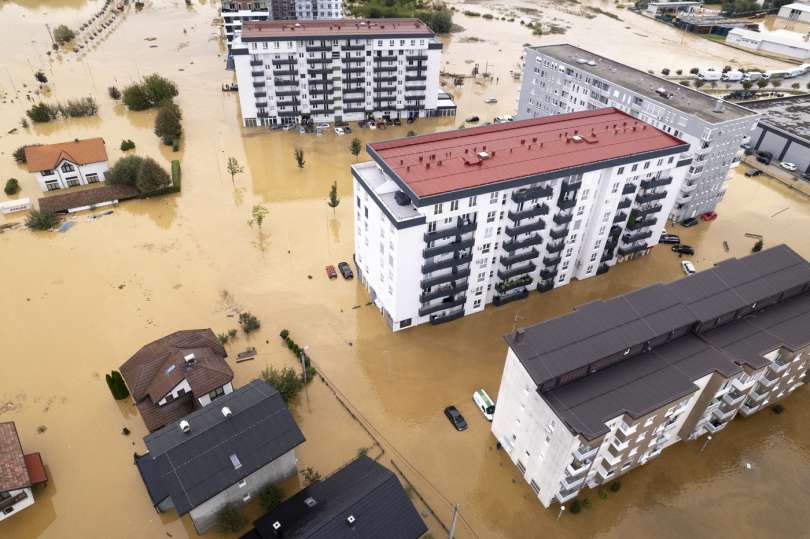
591 395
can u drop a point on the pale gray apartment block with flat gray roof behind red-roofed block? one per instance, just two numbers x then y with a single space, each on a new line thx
565 78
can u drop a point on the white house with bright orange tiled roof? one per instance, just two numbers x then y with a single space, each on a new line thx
67 164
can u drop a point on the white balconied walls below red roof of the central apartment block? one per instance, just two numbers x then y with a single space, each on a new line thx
497 245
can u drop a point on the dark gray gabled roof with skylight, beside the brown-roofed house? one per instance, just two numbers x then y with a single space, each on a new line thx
192 467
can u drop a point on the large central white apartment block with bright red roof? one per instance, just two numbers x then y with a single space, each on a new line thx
499 210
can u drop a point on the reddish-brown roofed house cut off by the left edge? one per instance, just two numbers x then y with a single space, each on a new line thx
18 473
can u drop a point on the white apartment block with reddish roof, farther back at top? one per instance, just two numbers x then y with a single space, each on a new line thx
345 70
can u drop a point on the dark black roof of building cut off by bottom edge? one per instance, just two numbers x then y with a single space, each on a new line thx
363 499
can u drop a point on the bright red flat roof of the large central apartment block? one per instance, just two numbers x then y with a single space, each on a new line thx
445 162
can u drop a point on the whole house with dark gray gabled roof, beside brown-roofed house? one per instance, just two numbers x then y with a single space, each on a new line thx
221 454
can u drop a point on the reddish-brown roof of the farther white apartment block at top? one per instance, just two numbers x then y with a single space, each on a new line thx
361 28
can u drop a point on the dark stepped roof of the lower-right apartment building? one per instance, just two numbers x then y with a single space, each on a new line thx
654 375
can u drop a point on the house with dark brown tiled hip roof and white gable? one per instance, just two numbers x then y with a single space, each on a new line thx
171 377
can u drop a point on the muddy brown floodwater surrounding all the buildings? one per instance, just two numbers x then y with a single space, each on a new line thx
76 305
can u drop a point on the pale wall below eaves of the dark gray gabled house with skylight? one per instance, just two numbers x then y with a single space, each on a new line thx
204 515
